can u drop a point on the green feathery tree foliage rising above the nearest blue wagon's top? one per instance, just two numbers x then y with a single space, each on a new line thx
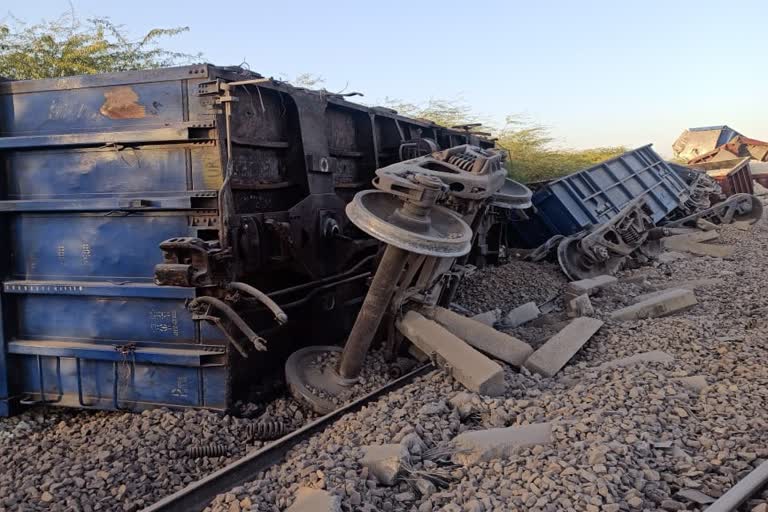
69 45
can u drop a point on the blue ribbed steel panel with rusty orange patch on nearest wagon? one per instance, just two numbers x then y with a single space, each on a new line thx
97 171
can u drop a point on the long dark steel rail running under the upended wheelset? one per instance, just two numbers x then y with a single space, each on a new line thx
198 495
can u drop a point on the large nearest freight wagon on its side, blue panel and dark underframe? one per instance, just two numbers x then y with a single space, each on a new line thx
242 180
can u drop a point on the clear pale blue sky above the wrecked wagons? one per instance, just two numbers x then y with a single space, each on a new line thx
596 72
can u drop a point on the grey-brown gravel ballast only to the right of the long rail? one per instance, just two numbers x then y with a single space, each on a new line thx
624 438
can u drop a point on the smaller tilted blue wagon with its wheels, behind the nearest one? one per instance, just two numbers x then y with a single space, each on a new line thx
595 218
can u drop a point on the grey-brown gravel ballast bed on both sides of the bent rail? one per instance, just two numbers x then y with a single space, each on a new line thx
624 438
